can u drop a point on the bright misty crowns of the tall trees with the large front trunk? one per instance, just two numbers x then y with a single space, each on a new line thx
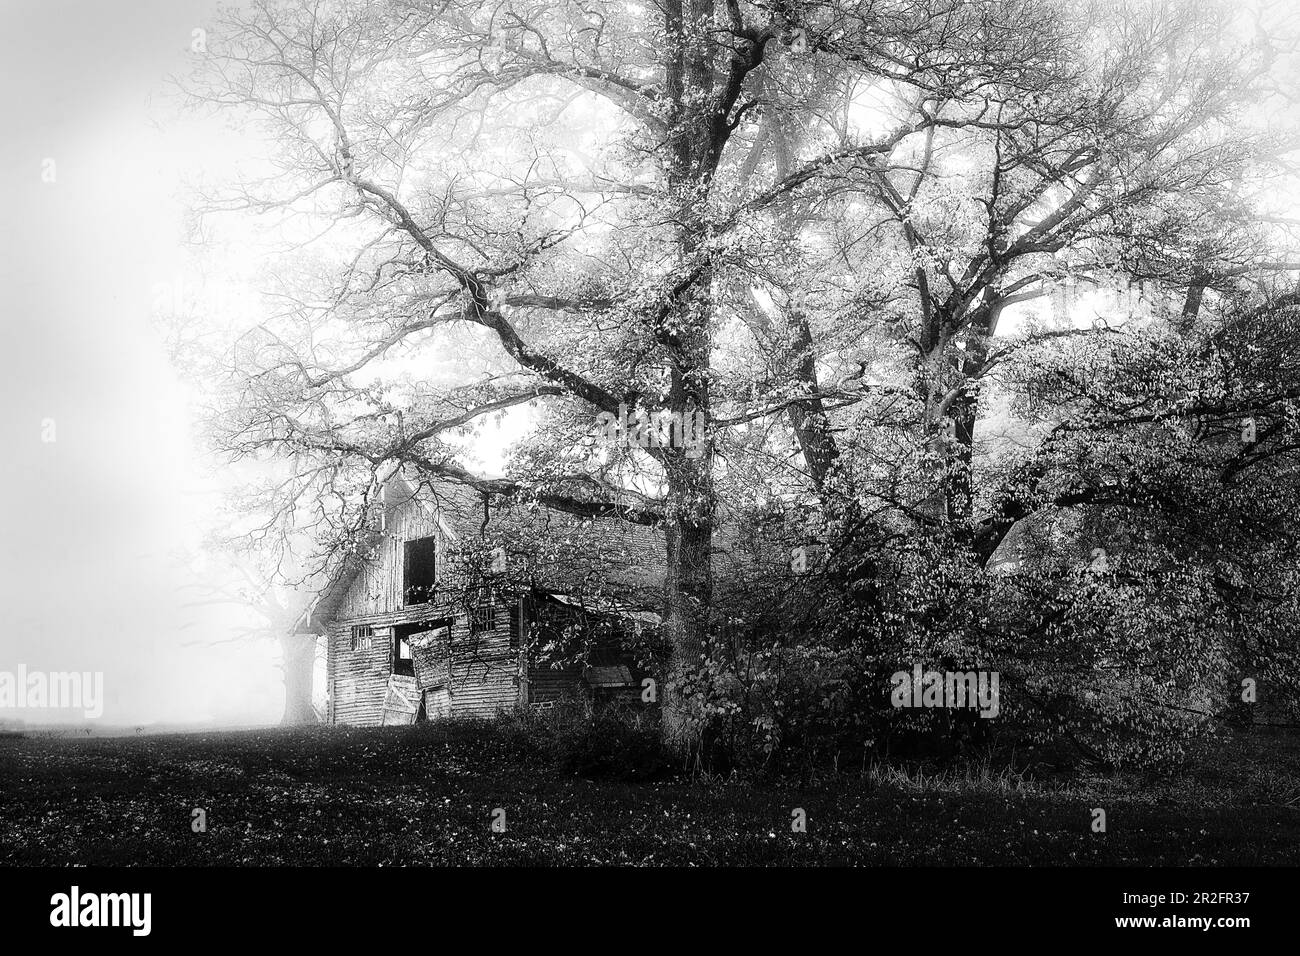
801 224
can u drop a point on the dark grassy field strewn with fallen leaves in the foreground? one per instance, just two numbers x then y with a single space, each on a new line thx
427 794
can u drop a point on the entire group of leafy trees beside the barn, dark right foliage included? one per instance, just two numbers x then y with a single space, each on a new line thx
829 232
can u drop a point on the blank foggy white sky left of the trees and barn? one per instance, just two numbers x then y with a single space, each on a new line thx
88 577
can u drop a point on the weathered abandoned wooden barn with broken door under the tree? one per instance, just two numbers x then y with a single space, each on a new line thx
413 633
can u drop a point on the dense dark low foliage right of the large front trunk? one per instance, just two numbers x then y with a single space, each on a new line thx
1152 578
